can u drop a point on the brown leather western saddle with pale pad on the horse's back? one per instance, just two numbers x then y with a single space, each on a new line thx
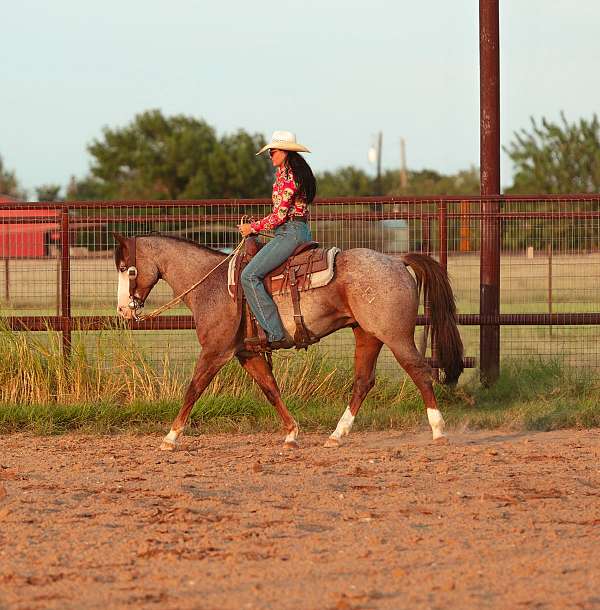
293 276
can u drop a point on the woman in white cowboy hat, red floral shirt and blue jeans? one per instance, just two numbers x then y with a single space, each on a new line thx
294 188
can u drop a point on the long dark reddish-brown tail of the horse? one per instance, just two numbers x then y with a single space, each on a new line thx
444 331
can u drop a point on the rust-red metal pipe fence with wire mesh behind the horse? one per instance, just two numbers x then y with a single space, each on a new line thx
57 272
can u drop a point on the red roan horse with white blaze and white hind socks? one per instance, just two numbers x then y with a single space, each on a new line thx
372 293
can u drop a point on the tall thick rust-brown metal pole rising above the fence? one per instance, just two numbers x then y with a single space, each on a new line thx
489 79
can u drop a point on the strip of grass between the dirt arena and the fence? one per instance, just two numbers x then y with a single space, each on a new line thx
110 386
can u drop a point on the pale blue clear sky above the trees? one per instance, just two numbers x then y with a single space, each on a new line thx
335 72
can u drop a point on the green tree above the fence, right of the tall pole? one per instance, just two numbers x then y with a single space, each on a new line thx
556 158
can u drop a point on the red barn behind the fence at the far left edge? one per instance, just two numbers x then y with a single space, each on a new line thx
23 239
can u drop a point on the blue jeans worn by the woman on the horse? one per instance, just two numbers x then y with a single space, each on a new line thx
288 237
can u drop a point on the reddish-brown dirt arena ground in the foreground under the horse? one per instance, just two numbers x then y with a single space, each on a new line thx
492 520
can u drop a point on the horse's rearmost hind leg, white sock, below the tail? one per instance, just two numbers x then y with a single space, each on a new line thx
414 364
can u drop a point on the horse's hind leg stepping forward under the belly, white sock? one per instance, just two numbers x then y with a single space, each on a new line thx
365 358
